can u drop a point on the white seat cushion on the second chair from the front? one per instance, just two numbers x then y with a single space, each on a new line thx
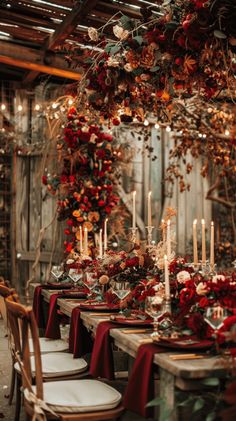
58 364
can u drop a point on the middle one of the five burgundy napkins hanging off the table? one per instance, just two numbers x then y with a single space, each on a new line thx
80 341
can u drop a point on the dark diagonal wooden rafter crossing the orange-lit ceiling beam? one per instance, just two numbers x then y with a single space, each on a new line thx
78 13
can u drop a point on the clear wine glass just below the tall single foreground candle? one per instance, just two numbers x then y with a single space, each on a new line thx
154 307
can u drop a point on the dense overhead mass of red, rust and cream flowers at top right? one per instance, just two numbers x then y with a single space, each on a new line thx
179 48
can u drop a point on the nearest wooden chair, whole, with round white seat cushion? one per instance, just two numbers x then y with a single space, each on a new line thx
69 400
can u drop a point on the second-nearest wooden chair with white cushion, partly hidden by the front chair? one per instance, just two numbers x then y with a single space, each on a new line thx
55 365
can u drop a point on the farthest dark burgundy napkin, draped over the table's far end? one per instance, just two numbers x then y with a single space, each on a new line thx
38 302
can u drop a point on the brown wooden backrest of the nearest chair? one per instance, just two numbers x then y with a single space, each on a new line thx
23 325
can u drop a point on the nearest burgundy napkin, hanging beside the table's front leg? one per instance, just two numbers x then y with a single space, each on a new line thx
140 388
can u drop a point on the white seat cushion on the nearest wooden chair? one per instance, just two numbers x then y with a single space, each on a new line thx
73 396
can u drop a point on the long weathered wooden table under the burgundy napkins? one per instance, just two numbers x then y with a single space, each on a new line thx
184 374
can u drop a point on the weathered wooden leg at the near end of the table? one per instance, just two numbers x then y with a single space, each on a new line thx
167 393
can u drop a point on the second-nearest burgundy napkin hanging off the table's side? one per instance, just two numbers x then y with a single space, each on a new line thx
102 363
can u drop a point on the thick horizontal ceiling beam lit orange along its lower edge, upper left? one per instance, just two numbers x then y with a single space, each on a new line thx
30 59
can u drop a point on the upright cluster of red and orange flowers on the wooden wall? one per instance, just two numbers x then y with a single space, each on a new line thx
85 182
